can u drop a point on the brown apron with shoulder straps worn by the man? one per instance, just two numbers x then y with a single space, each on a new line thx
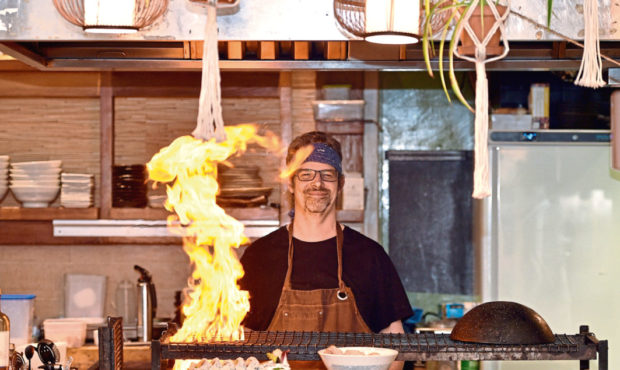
321 310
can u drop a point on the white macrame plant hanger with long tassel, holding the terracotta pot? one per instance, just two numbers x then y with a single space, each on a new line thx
482 187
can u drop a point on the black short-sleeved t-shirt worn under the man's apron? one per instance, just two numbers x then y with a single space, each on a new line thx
367 270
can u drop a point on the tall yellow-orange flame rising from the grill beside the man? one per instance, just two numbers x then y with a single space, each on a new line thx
216 305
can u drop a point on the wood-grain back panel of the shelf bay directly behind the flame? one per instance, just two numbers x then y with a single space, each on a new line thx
161 120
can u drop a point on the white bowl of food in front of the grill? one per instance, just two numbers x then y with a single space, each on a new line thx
352 358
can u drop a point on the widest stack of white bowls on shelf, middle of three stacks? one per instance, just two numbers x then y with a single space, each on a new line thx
35 184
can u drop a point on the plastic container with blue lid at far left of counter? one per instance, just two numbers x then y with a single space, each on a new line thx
20 310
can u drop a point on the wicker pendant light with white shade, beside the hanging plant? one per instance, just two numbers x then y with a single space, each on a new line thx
380 21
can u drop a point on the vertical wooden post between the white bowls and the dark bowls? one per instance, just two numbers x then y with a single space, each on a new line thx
106 114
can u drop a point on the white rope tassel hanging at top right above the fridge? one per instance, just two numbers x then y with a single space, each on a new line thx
591 69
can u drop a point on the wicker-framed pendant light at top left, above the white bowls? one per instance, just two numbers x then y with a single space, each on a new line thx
111 16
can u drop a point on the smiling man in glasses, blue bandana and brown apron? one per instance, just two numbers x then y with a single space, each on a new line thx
314 274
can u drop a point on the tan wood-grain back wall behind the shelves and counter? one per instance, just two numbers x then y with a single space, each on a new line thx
42 118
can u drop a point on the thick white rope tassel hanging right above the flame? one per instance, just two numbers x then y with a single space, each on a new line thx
210 121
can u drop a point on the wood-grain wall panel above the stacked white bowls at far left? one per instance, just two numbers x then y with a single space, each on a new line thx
35 129
